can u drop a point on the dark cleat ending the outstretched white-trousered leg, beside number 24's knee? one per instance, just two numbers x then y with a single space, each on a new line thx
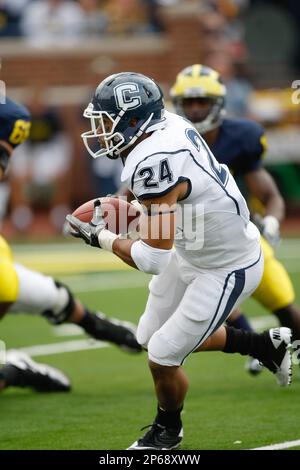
121 333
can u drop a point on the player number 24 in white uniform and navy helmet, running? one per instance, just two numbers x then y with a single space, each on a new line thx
170 168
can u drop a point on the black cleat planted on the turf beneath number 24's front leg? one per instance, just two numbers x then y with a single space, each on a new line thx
159 438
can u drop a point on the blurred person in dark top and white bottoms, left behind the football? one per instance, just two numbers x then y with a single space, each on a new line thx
39 182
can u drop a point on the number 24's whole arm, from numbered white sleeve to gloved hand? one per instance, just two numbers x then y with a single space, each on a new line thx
158 183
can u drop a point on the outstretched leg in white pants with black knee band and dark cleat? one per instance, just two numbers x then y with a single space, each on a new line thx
43 295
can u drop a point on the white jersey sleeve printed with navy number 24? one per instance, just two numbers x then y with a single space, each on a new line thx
156 176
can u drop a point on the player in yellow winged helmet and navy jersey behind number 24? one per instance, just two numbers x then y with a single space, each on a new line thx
198 95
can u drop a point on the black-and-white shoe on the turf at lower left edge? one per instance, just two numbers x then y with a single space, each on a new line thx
40 377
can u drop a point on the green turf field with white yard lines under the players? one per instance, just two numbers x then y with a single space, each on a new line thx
112 395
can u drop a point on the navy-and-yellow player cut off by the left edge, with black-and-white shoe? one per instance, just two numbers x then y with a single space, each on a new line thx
19 369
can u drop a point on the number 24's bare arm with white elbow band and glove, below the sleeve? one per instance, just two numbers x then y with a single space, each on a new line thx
151 253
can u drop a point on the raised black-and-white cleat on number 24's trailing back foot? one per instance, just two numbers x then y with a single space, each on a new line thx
279 356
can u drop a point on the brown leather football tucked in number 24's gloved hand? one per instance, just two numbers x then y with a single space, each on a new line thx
120 216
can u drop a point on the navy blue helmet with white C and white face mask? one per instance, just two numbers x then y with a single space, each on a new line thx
125 106
